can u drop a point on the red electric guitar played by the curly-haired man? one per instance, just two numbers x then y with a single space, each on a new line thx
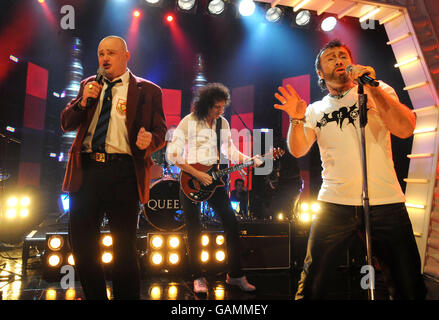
197 192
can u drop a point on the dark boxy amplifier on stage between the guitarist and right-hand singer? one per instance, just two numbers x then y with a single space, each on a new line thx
265 245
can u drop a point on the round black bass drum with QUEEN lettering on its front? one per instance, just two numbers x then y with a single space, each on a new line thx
163 210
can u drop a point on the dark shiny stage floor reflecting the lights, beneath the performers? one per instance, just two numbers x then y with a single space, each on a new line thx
271 284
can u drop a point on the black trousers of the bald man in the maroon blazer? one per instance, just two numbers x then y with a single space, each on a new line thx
106 188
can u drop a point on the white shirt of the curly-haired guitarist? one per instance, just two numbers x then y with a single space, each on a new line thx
196 142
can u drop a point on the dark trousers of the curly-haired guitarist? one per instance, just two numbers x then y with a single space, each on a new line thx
220 203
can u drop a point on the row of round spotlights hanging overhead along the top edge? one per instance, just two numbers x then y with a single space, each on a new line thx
246 8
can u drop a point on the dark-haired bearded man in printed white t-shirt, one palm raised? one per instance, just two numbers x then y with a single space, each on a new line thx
334 123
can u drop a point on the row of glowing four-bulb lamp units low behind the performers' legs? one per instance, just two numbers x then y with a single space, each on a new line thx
164 252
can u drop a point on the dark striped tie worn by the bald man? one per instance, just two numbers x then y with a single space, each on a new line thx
98 142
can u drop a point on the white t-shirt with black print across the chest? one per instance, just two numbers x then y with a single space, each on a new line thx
336 123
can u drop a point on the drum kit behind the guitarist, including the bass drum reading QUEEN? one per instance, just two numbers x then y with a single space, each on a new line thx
163 211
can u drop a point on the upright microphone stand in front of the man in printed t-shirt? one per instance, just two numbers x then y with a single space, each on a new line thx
362 104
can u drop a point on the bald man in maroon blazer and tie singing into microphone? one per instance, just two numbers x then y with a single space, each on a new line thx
108 167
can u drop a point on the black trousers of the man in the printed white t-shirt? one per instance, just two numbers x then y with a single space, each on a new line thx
393 245
